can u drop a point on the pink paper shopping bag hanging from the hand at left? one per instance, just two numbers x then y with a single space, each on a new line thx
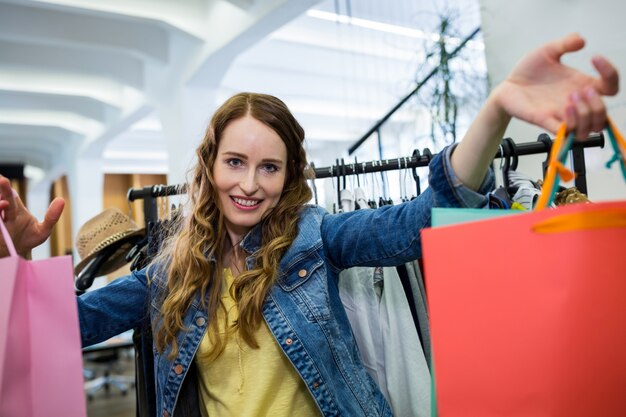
40 350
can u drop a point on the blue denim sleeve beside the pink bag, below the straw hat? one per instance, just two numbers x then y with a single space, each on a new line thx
113 309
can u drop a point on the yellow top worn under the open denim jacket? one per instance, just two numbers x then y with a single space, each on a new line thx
247 382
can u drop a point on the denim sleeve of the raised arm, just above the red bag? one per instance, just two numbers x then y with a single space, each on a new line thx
390 235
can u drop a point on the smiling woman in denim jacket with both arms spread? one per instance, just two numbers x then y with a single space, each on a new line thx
243 300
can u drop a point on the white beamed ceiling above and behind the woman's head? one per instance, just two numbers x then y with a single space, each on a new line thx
85 78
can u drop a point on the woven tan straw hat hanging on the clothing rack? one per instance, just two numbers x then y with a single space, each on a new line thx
107 229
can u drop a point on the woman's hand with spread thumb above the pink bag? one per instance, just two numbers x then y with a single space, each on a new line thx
23 227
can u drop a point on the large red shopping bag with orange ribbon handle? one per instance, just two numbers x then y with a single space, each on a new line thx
528 313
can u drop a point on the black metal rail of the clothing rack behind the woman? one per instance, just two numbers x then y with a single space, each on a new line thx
509 149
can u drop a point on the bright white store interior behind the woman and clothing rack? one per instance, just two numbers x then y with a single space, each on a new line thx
100 96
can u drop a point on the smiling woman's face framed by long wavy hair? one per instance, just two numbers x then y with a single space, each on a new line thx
249 173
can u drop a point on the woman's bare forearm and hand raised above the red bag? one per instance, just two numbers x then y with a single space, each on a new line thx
542 91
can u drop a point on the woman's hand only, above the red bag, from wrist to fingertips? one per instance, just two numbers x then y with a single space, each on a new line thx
543 91
